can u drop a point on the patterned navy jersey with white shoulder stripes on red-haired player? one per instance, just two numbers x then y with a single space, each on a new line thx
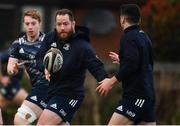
24 50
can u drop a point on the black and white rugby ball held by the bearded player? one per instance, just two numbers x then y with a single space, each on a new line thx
53 60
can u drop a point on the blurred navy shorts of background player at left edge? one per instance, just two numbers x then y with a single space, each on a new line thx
10 91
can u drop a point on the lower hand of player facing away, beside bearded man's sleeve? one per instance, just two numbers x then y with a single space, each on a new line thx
104 87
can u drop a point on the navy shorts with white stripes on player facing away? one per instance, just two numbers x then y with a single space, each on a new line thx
137 109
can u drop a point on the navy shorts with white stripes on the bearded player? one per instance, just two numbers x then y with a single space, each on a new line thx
64 106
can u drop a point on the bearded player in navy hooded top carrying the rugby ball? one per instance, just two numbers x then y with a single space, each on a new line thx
66 91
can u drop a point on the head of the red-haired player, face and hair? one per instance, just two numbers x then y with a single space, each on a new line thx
31 21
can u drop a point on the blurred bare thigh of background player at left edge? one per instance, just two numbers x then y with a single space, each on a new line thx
20 97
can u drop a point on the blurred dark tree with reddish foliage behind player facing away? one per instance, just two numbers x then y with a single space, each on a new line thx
162 21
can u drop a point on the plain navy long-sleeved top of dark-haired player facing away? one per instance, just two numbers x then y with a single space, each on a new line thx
136 66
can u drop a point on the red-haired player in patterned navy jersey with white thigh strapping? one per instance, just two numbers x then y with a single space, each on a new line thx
23 53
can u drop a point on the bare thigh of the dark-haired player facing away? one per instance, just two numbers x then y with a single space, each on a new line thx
118 119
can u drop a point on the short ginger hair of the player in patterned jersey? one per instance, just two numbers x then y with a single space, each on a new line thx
33 13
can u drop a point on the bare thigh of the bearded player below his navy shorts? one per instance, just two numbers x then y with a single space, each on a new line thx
48 117
